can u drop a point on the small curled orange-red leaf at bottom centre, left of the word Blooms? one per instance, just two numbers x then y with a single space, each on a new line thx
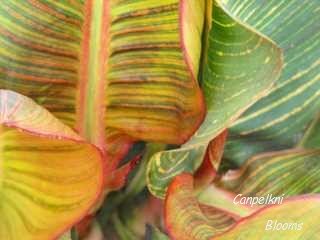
186 219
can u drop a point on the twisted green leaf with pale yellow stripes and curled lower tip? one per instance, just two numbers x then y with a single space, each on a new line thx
241 65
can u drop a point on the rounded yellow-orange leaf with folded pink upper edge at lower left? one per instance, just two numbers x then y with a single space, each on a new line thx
49 177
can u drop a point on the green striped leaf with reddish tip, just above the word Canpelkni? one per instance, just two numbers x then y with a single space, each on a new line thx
284 173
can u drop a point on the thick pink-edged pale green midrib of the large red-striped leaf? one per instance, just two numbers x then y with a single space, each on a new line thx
93 70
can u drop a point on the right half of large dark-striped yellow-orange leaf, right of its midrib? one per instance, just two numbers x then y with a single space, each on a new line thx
152 91
